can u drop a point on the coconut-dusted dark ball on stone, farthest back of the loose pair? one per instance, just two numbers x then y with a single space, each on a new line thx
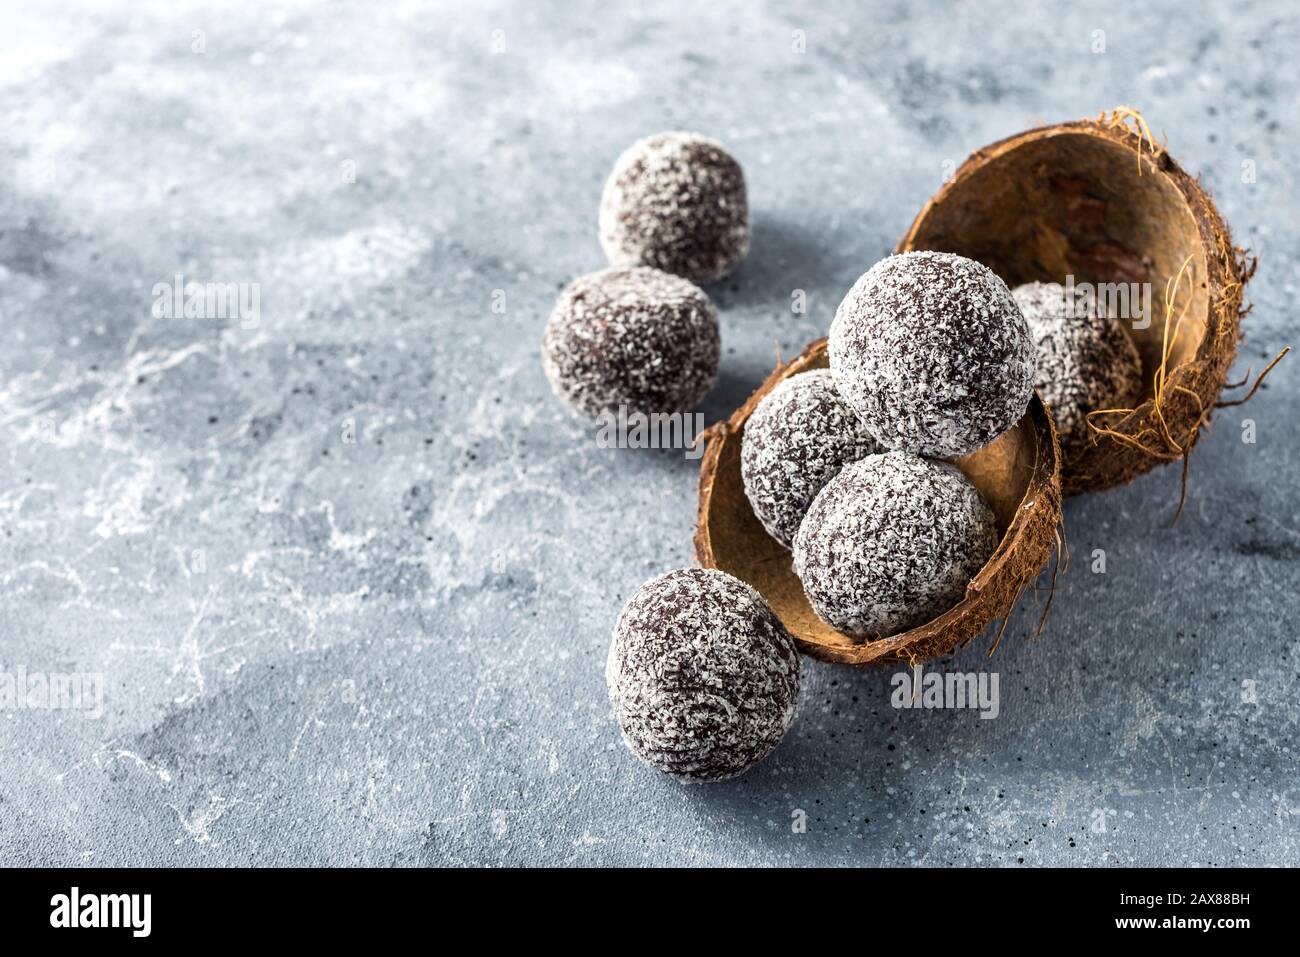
677 202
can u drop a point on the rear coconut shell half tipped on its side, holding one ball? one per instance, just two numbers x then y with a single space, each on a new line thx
1099 201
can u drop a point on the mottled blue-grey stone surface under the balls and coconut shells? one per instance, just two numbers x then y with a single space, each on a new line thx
391 651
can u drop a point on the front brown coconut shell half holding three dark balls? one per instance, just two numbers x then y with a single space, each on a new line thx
1019 477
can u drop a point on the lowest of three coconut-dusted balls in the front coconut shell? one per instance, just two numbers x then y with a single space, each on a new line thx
891 544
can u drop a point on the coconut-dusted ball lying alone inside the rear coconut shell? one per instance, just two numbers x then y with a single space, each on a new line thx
1086 361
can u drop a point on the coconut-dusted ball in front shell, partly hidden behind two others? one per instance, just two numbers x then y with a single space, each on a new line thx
796 441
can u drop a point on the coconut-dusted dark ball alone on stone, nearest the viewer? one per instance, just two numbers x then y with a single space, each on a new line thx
704 677
